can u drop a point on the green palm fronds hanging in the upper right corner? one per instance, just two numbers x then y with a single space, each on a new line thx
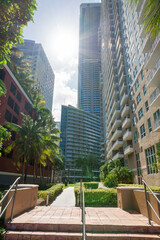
151 16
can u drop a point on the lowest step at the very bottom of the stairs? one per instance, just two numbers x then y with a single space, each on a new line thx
15 235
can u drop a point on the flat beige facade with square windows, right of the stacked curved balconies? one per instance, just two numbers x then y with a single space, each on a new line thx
144 71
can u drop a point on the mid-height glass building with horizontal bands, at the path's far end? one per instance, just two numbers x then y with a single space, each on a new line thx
80 133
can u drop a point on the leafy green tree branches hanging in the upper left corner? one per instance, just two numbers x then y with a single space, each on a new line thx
14 15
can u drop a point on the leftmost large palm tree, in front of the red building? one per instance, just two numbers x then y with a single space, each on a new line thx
28 144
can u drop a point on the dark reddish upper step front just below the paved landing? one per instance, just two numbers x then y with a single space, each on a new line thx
91 228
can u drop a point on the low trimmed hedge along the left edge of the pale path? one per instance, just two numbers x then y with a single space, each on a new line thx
54 191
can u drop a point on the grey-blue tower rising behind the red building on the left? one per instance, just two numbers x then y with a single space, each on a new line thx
42 71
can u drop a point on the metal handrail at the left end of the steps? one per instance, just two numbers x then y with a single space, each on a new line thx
13 197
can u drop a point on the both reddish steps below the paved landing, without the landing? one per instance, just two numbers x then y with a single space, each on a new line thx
41 231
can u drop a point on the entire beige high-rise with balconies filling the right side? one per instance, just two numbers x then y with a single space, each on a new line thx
130 68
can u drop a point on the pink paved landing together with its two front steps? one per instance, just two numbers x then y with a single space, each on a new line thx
55 223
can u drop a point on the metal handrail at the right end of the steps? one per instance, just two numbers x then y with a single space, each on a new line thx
148 202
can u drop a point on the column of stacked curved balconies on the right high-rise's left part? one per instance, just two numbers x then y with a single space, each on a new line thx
116 80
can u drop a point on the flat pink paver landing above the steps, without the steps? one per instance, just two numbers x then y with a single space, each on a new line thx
72 215
